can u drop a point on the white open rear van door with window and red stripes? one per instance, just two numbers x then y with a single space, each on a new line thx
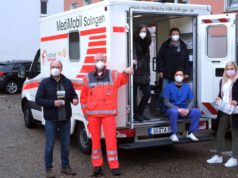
216 47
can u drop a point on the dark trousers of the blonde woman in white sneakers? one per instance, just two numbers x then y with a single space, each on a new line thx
224 124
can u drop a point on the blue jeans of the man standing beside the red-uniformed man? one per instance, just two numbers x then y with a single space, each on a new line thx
50 134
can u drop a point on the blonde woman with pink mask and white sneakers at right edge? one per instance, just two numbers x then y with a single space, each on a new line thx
228 96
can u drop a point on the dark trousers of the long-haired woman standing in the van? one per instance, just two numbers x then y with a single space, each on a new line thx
146 91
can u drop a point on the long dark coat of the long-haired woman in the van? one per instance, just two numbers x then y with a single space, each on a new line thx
142 56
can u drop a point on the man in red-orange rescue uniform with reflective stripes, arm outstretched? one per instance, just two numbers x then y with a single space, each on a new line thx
99 104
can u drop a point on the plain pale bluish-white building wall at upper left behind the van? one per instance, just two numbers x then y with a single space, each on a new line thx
20 27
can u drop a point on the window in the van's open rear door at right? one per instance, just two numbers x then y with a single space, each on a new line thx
217 41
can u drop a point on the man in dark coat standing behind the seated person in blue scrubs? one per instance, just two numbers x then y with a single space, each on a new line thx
172 55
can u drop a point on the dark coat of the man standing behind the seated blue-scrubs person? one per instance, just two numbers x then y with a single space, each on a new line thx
170 58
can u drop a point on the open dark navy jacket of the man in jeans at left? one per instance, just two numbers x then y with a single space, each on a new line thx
46 95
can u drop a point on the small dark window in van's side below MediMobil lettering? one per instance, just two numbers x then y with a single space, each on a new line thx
74 51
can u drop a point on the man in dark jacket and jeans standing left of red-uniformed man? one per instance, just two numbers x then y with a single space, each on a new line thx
55 94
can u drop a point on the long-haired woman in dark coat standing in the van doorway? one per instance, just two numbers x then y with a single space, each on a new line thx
141 78
